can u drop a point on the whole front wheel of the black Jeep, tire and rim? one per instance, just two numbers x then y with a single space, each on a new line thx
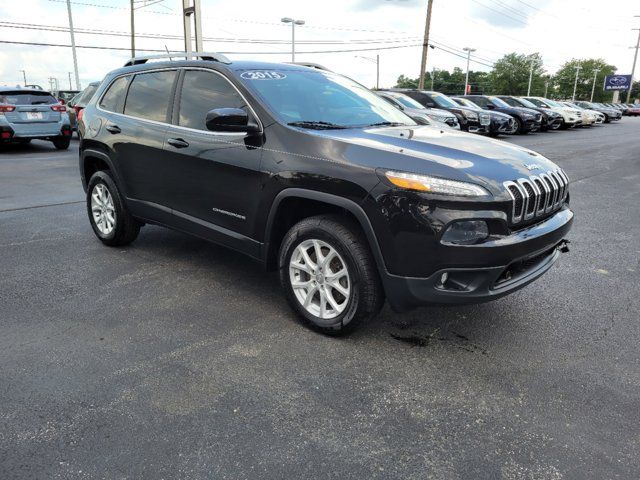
329 275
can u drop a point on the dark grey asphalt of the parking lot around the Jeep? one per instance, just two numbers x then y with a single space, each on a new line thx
176 358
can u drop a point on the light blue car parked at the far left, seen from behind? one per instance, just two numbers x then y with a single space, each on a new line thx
28 113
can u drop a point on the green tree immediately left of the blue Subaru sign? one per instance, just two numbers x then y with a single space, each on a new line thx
564 79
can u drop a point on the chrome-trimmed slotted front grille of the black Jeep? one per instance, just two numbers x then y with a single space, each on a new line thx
537 195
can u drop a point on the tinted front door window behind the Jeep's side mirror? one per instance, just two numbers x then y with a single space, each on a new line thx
204 91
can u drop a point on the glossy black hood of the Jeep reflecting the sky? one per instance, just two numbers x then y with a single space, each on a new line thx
445 153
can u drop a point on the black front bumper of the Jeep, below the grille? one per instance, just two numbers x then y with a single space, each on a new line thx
510 263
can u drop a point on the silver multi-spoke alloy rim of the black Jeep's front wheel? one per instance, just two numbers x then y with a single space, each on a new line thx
320 279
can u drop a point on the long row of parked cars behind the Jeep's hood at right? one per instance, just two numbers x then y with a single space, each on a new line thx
503 114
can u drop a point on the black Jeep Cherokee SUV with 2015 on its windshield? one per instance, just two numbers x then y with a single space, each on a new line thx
316 176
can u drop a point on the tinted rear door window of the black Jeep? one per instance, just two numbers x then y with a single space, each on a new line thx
149 95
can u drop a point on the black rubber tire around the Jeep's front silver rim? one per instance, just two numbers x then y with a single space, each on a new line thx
366 295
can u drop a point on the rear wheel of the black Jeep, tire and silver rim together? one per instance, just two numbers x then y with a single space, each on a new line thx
110 219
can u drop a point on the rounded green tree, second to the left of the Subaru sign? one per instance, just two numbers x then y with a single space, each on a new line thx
510 75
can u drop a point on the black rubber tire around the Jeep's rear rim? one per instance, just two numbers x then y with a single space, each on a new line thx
126 228
